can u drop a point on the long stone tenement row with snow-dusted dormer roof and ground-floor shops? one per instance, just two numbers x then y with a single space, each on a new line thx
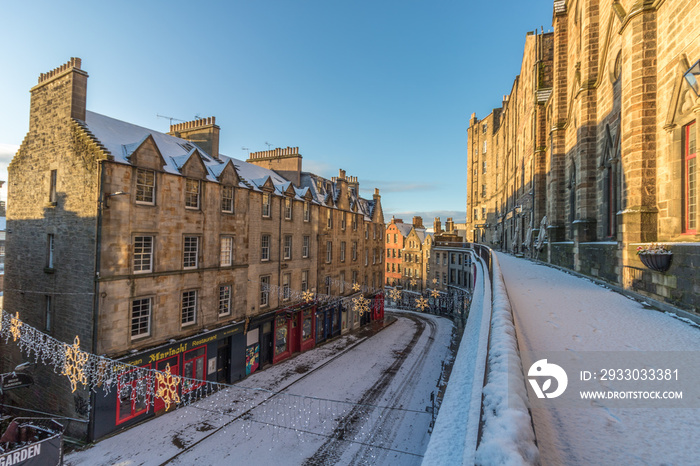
155 249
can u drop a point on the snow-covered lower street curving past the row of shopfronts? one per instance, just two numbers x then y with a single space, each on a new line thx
360 399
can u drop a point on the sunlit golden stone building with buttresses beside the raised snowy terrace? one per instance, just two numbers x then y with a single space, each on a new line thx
592 156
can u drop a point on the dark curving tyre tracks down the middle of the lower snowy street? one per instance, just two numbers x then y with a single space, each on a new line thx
350 424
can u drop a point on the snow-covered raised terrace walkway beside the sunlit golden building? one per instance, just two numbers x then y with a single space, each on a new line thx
557 313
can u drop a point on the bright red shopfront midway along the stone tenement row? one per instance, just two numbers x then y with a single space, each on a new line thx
294 331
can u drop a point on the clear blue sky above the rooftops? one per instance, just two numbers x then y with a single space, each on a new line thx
383 89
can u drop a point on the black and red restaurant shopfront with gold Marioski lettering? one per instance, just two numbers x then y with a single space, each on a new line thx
216 356
